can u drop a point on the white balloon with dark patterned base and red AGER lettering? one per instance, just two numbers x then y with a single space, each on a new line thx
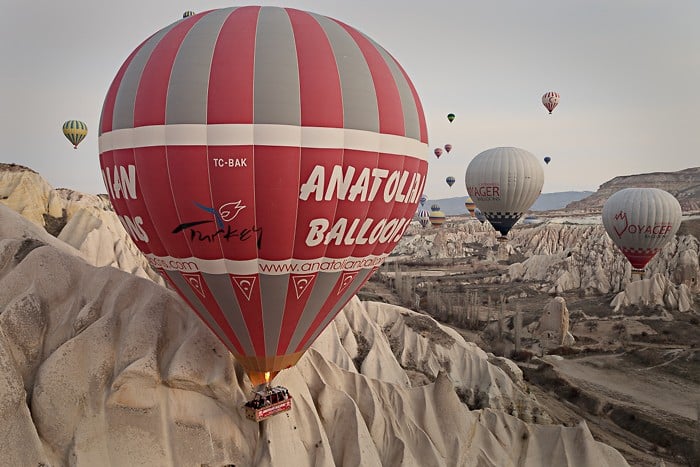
504 182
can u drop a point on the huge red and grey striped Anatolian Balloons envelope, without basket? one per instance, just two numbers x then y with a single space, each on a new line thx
264 178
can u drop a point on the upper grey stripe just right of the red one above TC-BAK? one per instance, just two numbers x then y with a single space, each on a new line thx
276 77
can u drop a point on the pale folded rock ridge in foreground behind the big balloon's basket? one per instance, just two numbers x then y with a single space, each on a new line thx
100 367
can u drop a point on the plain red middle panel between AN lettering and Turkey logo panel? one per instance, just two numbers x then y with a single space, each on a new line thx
151 162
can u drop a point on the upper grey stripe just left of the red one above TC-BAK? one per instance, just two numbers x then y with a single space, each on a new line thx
189 78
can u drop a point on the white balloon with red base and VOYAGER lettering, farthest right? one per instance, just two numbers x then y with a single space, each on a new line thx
640 221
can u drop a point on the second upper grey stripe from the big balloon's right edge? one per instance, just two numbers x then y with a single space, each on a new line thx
360 111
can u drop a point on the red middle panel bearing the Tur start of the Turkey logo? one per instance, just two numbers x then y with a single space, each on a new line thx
189 178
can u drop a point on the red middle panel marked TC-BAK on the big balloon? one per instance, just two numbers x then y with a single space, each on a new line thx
232 176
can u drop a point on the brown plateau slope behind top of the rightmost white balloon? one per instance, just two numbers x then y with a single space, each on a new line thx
684 185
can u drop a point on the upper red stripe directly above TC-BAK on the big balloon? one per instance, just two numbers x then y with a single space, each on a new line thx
230 98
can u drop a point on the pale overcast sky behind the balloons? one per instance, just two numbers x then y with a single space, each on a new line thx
627 72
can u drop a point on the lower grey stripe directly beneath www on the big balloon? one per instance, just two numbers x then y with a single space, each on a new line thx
274 296
